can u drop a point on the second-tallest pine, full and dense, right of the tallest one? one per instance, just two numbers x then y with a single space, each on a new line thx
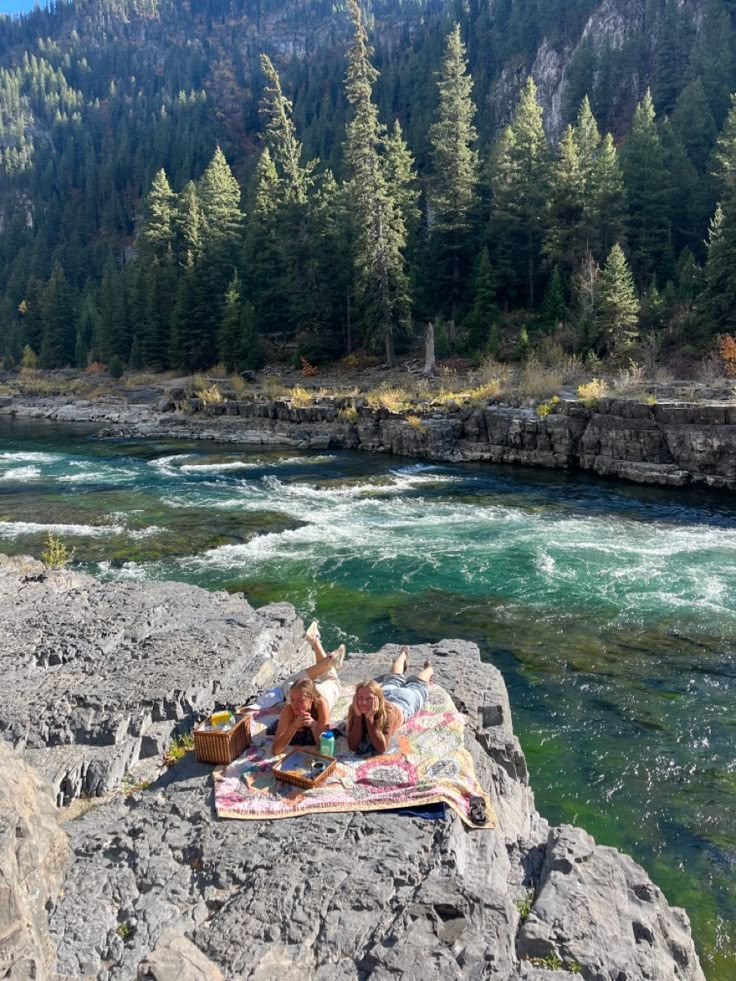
454 175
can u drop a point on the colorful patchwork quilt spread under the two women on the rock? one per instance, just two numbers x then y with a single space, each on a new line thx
426 763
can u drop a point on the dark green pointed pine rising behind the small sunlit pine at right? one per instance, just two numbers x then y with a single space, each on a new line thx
648 192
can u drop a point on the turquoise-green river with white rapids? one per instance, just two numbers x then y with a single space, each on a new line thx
611 609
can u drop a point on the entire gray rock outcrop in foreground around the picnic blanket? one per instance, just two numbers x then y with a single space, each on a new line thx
146 882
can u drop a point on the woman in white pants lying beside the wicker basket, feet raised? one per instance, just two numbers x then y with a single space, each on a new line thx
311 696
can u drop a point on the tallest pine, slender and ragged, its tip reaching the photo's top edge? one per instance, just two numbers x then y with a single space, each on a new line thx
379 229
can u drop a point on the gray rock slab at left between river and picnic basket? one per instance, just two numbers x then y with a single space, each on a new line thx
100 671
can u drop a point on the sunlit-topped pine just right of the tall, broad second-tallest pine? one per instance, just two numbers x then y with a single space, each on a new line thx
519 182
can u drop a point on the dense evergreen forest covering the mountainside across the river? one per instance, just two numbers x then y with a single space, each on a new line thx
189 184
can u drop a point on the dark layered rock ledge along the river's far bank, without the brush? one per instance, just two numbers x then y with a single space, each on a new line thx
670 443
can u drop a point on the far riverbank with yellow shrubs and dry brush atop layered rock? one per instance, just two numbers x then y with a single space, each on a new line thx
560 416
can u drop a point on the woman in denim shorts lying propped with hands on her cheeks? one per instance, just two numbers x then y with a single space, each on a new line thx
379 709
